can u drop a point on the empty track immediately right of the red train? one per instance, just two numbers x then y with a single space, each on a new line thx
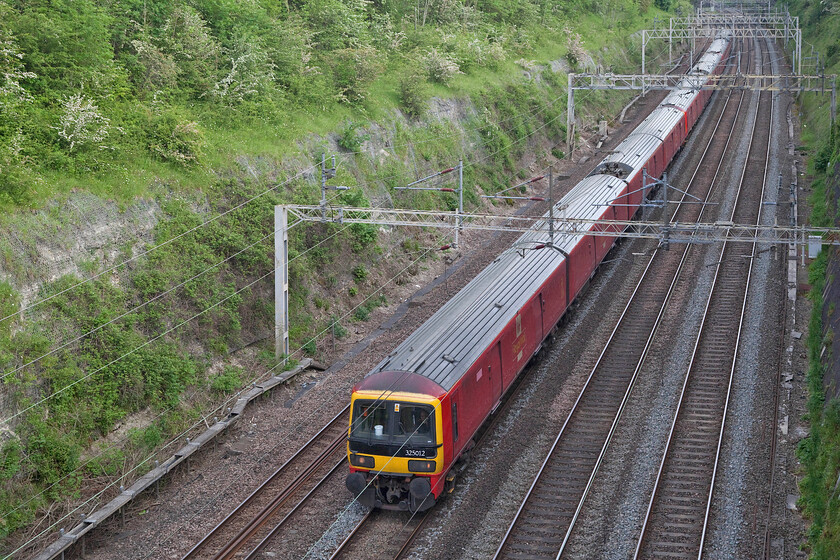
547 516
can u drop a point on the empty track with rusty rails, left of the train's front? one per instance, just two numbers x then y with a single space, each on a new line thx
247 528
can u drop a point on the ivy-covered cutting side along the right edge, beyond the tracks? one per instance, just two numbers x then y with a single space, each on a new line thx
820 451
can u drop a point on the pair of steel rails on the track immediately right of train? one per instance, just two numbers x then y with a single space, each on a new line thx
638 290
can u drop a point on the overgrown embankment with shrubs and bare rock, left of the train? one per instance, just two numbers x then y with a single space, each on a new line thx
192 118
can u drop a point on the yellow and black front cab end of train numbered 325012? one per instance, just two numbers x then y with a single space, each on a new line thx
395 449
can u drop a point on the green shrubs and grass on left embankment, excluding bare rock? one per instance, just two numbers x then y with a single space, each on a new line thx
184 89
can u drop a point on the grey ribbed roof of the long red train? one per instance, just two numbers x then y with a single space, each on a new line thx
451 340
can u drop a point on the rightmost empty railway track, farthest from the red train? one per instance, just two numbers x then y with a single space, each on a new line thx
678 515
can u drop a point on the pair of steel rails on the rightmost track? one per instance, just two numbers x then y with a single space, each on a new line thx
682 399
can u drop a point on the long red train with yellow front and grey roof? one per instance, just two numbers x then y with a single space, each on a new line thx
414 415
